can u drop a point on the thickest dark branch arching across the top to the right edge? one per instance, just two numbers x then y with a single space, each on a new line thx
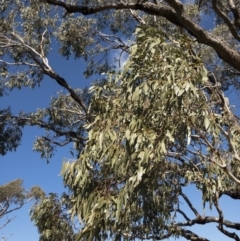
173 14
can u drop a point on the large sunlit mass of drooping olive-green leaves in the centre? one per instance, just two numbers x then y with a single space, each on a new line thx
158 125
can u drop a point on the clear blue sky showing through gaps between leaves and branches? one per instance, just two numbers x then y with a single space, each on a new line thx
27 165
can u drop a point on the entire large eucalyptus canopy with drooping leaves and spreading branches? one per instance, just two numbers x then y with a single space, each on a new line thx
144 131
